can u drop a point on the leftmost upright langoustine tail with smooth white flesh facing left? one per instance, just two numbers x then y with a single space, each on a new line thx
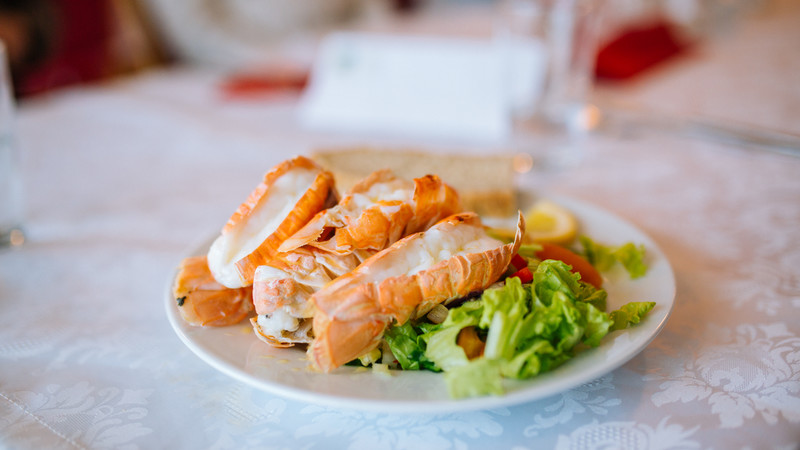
289 195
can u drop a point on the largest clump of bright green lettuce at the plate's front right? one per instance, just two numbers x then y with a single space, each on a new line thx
529 329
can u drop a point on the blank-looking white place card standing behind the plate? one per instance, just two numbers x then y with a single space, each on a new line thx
421 86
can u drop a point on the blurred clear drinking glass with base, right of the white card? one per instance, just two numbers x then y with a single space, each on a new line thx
548 49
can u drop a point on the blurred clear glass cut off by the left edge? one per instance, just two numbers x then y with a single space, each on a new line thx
10 177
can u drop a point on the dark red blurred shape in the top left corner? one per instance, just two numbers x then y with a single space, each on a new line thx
81 50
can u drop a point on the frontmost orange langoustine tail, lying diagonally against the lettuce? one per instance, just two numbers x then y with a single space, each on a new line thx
450 260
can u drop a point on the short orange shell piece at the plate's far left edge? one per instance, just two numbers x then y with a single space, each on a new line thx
202 301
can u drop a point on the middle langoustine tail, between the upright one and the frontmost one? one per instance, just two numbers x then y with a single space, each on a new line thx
377 212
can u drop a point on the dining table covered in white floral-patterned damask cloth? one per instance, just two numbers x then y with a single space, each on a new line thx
125 178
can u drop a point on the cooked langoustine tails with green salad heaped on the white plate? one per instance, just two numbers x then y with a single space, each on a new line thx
396 275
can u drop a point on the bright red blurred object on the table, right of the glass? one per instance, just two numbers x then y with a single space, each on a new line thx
637 50
